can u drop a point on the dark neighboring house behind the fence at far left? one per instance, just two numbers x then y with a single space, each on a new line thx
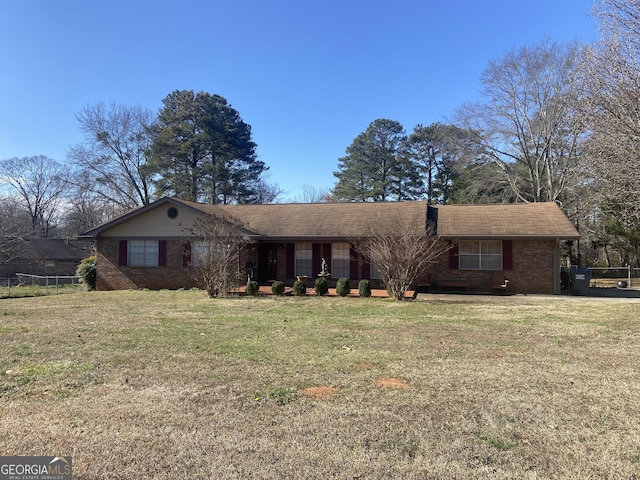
45 256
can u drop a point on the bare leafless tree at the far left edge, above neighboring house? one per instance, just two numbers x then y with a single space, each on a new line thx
41 184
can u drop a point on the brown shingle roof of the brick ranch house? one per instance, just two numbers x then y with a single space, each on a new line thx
351 220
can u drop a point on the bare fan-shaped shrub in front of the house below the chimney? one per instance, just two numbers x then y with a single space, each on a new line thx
401 255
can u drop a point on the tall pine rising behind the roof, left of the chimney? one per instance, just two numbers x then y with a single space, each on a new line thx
374 168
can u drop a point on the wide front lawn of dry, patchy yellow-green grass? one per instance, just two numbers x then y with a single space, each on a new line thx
174 384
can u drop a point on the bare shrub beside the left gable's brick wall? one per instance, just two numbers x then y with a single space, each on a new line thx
216 243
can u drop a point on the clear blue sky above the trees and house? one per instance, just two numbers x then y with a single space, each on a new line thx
307 76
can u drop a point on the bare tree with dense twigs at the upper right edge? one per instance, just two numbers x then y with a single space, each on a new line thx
610 77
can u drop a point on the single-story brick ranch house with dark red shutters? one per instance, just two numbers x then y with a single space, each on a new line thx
149 247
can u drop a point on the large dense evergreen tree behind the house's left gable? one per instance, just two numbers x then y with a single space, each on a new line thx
202 150
